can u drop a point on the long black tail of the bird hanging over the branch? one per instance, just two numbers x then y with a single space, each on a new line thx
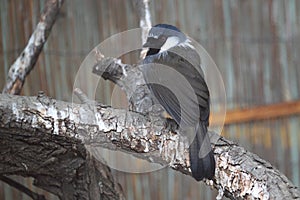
201 155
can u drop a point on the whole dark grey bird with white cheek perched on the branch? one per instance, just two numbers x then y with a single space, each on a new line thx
172 71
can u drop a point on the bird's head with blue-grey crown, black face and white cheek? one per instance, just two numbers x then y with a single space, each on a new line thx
162 37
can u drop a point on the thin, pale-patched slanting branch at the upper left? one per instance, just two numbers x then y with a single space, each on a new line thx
26 61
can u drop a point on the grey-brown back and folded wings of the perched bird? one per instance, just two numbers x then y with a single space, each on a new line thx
185 97
